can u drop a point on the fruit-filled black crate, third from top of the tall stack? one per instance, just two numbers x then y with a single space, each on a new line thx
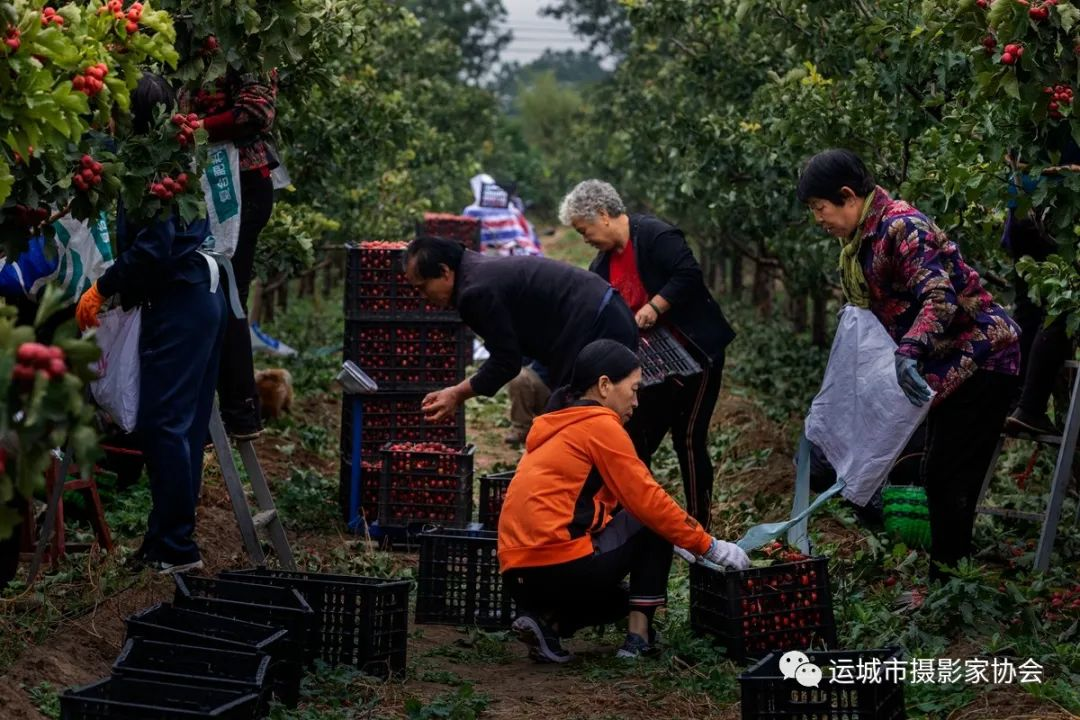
398 418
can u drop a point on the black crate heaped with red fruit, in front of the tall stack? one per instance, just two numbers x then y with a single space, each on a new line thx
426 482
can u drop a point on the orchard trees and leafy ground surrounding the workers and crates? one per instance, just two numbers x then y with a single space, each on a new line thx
698 111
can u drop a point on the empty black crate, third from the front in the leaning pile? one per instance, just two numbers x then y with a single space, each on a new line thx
166 623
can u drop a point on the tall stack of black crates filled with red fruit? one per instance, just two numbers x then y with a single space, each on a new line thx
410 348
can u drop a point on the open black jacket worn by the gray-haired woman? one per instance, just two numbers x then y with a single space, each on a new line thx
667 267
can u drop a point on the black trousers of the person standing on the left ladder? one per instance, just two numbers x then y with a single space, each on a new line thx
240 411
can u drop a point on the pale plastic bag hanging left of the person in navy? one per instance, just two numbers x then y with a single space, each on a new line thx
117 388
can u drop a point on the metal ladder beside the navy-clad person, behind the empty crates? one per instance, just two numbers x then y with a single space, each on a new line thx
267 515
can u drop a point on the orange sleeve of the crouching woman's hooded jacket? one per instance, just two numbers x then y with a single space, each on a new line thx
633 485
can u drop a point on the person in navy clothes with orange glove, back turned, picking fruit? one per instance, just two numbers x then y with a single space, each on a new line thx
160 269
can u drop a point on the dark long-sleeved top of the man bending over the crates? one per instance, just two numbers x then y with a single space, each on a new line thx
529 307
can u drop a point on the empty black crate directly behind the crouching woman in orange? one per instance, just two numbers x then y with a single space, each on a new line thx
460 582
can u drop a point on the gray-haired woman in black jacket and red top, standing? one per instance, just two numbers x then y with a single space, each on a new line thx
652 266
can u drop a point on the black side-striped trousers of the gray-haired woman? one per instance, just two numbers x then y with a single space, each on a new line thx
685 407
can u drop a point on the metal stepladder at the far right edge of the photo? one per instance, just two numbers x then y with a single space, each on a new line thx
1060 485
